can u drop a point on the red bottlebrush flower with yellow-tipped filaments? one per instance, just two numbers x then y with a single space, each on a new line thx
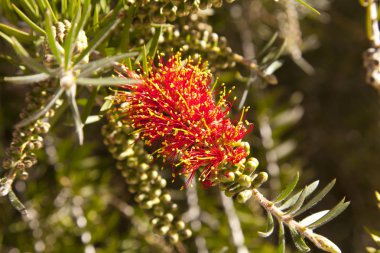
175 107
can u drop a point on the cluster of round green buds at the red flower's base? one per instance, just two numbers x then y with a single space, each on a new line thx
238 180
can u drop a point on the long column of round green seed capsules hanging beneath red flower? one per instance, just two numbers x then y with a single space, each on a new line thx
144 180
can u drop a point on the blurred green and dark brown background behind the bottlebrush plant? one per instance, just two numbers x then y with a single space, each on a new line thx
324 123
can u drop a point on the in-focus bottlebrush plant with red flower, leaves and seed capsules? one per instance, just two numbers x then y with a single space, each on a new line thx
170 115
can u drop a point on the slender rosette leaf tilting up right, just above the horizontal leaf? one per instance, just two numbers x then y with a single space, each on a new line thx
102 64
